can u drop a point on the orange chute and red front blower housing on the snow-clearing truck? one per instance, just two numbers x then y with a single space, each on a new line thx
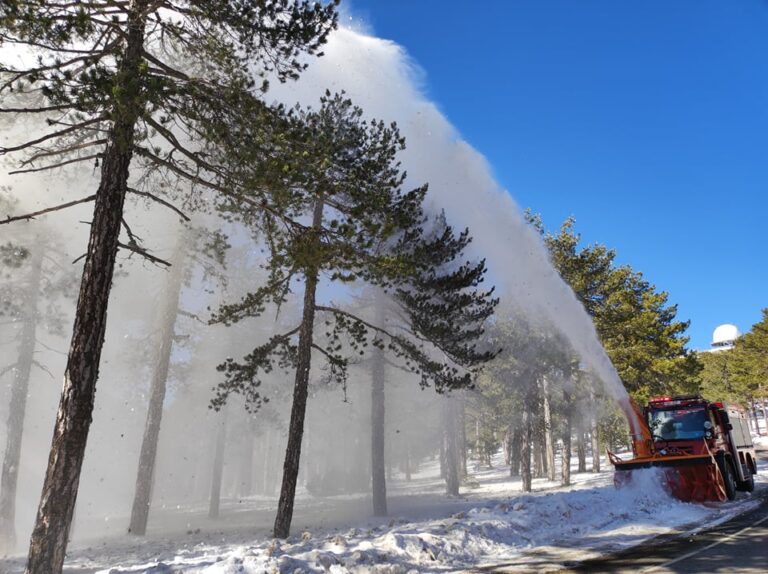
687 476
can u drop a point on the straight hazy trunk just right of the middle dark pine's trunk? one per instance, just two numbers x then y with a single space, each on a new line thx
378 462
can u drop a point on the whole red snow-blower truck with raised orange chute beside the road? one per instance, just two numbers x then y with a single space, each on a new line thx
704 449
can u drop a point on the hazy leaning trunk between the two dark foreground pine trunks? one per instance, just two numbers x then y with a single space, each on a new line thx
142 497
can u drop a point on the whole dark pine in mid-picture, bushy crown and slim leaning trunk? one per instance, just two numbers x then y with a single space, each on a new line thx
342 216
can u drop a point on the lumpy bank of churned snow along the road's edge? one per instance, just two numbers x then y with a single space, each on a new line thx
595 518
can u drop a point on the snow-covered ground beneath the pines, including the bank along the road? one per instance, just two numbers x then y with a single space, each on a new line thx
492 523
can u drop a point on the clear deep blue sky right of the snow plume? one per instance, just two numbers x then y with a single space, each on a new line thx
646 120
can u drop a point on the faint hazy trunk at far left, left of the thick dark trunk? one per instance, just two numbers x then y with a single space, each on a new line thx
18 404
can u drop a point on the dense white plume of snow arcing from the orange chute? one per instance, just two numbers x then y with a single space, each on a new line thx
379 76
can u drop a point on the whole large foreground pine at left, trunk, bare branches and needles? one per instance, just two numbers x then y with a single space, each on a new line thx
106 81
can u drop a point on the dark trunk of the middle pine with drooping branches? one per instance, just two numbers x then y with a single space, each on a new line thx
300 393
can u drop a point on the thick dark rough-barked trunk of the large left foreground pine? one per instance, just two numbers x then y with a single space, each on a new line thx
57 502
